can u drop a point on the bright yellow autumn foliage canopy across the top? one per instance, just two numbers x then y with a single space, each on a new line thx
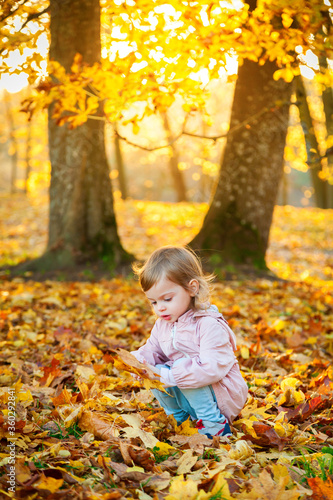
153 51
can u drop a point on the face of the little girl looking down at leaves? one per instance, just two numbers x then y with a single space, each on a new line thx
171 300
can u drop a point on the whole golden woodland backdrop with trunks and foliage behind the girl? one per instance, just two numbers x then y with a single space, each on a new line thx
204 116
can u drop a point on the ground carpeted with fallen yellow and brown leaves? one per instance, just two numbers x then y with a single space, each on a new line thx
85 428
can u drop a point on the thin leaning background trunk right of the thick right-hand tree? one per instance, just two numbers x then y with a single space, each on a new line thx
311 144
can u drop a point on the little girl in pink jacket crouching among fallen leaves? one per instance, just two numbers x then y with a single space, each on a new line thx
191 346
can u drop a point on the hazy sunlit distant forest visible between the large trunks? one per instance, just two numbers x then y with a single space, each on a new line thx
147 175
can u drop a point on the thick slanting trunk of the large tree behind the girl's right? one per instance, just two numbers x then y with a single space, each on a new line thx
236 227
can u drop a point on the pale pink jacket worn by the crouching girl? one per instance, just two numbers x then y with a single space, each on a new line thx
205 344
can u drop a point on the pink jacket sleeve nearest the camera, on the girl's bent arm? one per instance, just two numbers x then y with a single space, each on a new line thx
214 360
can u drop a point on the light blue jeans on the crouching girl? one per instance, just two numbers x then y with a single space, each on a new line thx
199 403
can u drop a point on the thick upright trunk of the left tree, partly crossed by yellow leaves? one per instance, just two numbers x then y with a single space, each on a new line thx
82 221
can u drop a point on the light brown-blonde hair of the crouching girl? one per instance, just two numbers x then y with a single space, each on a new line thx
179 265
